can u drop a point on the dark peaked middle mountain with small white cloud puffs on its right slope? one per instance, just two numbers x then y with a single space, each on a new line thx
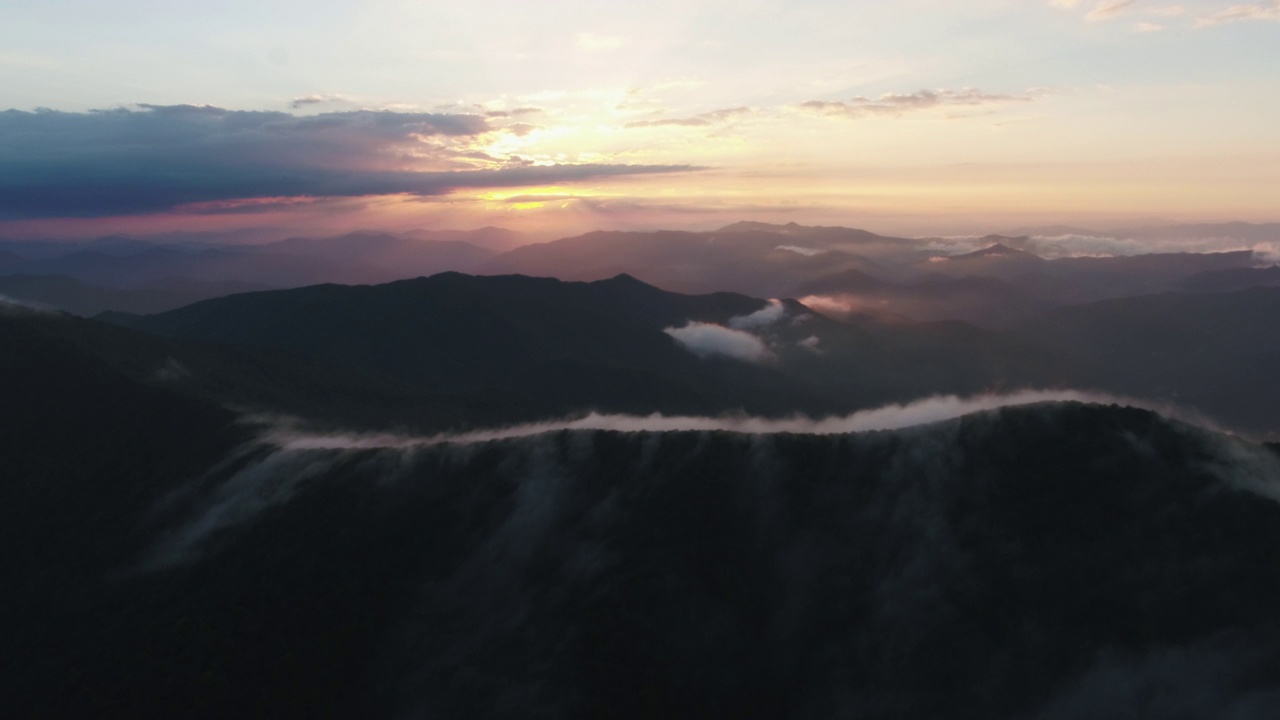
610 345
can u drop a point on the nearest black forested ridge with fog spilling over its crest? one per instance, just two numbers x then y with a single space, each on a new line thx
1041 562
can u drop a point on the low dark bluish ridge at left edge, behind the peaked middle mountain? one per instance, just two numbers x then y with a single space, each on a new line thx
83 299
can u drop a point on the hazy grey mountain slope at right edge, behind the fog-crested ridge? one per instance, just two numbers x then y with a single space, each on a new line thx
1213 352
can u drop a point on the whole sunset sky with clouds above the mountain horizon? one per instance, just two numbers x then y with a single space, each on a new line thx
556 117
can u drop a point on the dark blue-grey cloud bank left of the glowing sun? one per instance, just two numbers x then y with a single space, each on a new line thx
156 158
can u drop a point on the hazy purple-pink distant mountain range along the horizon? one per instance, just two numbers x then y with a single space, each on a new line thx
996 285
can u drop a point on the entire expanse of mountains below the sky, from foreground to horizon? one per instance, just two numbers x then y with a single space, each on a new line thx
482 495
